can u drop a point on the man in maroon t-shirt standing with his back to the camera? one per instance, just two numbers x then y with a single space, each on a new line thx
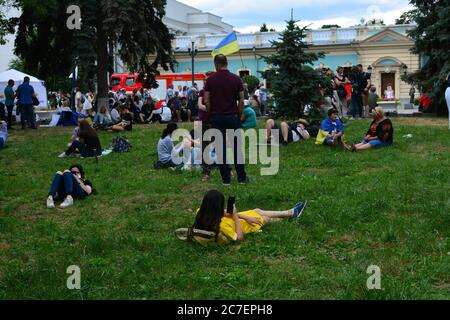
224 99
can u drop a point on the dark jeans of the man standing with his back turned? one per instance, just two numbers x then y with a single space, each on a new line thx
224 123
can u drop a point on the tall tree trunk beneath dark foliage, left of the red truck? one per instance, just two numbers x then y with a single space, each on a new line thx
102 66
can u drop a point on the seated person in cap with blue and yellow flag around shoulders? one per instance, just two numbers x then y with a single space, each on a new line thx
331 131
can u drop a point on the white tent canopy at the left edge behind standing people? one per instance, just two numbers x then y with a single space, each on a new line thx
17 76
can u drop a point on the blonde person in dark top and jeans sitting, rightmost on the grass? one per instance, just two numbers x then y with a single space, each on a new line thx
380 134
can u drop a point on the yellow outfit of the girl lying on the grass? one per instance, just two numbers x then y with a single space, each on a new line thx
228 231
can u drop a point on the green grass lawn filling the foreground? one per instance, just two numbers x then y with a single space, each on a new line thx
389 208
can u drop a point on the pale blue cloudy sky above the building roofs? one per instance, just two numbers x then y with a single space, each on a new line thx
247 16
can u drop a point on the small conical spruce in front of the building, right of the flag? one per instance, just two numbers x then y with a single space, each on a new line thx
292 80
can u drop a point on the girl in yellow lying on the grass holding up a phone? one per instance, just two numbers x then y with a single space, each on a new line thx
231 227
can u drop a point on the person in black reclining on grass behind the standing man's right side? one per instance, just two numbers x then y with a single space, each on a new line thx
291 132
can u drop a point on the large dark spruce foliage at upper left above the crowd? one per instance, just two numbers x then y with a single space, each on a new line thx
142 40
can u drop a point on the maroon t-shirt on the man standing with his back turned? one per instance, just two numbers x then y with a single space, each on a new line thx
224 88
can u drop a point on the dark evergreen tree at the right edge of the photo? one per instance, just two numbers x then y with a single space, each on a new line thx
432 41
